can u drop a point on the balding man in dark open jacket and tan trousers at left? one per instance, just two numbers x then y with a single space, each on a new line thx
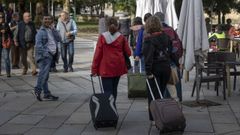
25 39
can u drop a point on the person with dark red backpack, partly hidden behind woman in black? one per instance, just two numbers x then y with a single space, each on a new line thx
175 90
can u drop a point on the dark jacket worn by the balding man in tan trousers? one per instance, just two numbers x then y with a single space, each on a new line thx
20 33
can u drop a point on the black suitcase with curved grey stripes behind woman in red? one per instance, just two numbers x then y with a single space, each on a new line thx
103 109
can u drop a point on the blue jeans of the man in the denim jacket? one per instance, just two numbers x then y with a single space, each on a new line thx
42 81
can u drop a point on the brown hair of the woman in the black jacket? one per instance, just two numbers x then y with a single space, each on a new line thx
153 25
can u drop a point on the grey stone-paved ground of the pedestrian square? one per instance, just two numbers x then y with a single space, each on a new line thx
21 114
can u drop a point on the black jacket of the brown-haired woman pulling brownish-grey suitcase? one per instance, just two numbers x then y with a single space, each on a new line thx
157 50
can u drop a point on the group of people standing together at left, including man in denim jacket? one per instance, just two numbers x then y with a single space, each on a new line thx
28 46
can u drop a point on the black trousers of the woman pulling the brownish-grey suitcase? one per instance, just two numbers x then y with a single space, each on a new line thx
162 75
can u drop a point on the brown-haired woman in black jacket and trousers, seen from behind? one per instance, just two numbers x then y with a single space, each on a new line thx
157 51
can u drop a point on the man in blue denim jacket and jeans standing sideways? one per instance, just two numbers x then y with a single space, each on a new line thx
46 47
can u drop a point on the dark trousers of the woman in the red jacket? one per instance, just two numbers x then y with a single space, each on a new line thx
110 85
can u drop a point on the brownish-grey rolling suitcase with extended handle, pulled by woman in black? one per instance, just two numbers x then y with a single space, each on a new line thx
166 113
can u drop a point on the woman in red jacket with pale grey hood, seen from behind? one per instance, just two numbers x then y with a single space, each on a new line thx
109 61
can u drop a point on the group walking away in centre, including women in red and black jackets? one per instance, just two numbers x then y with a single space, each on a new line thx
149 45
